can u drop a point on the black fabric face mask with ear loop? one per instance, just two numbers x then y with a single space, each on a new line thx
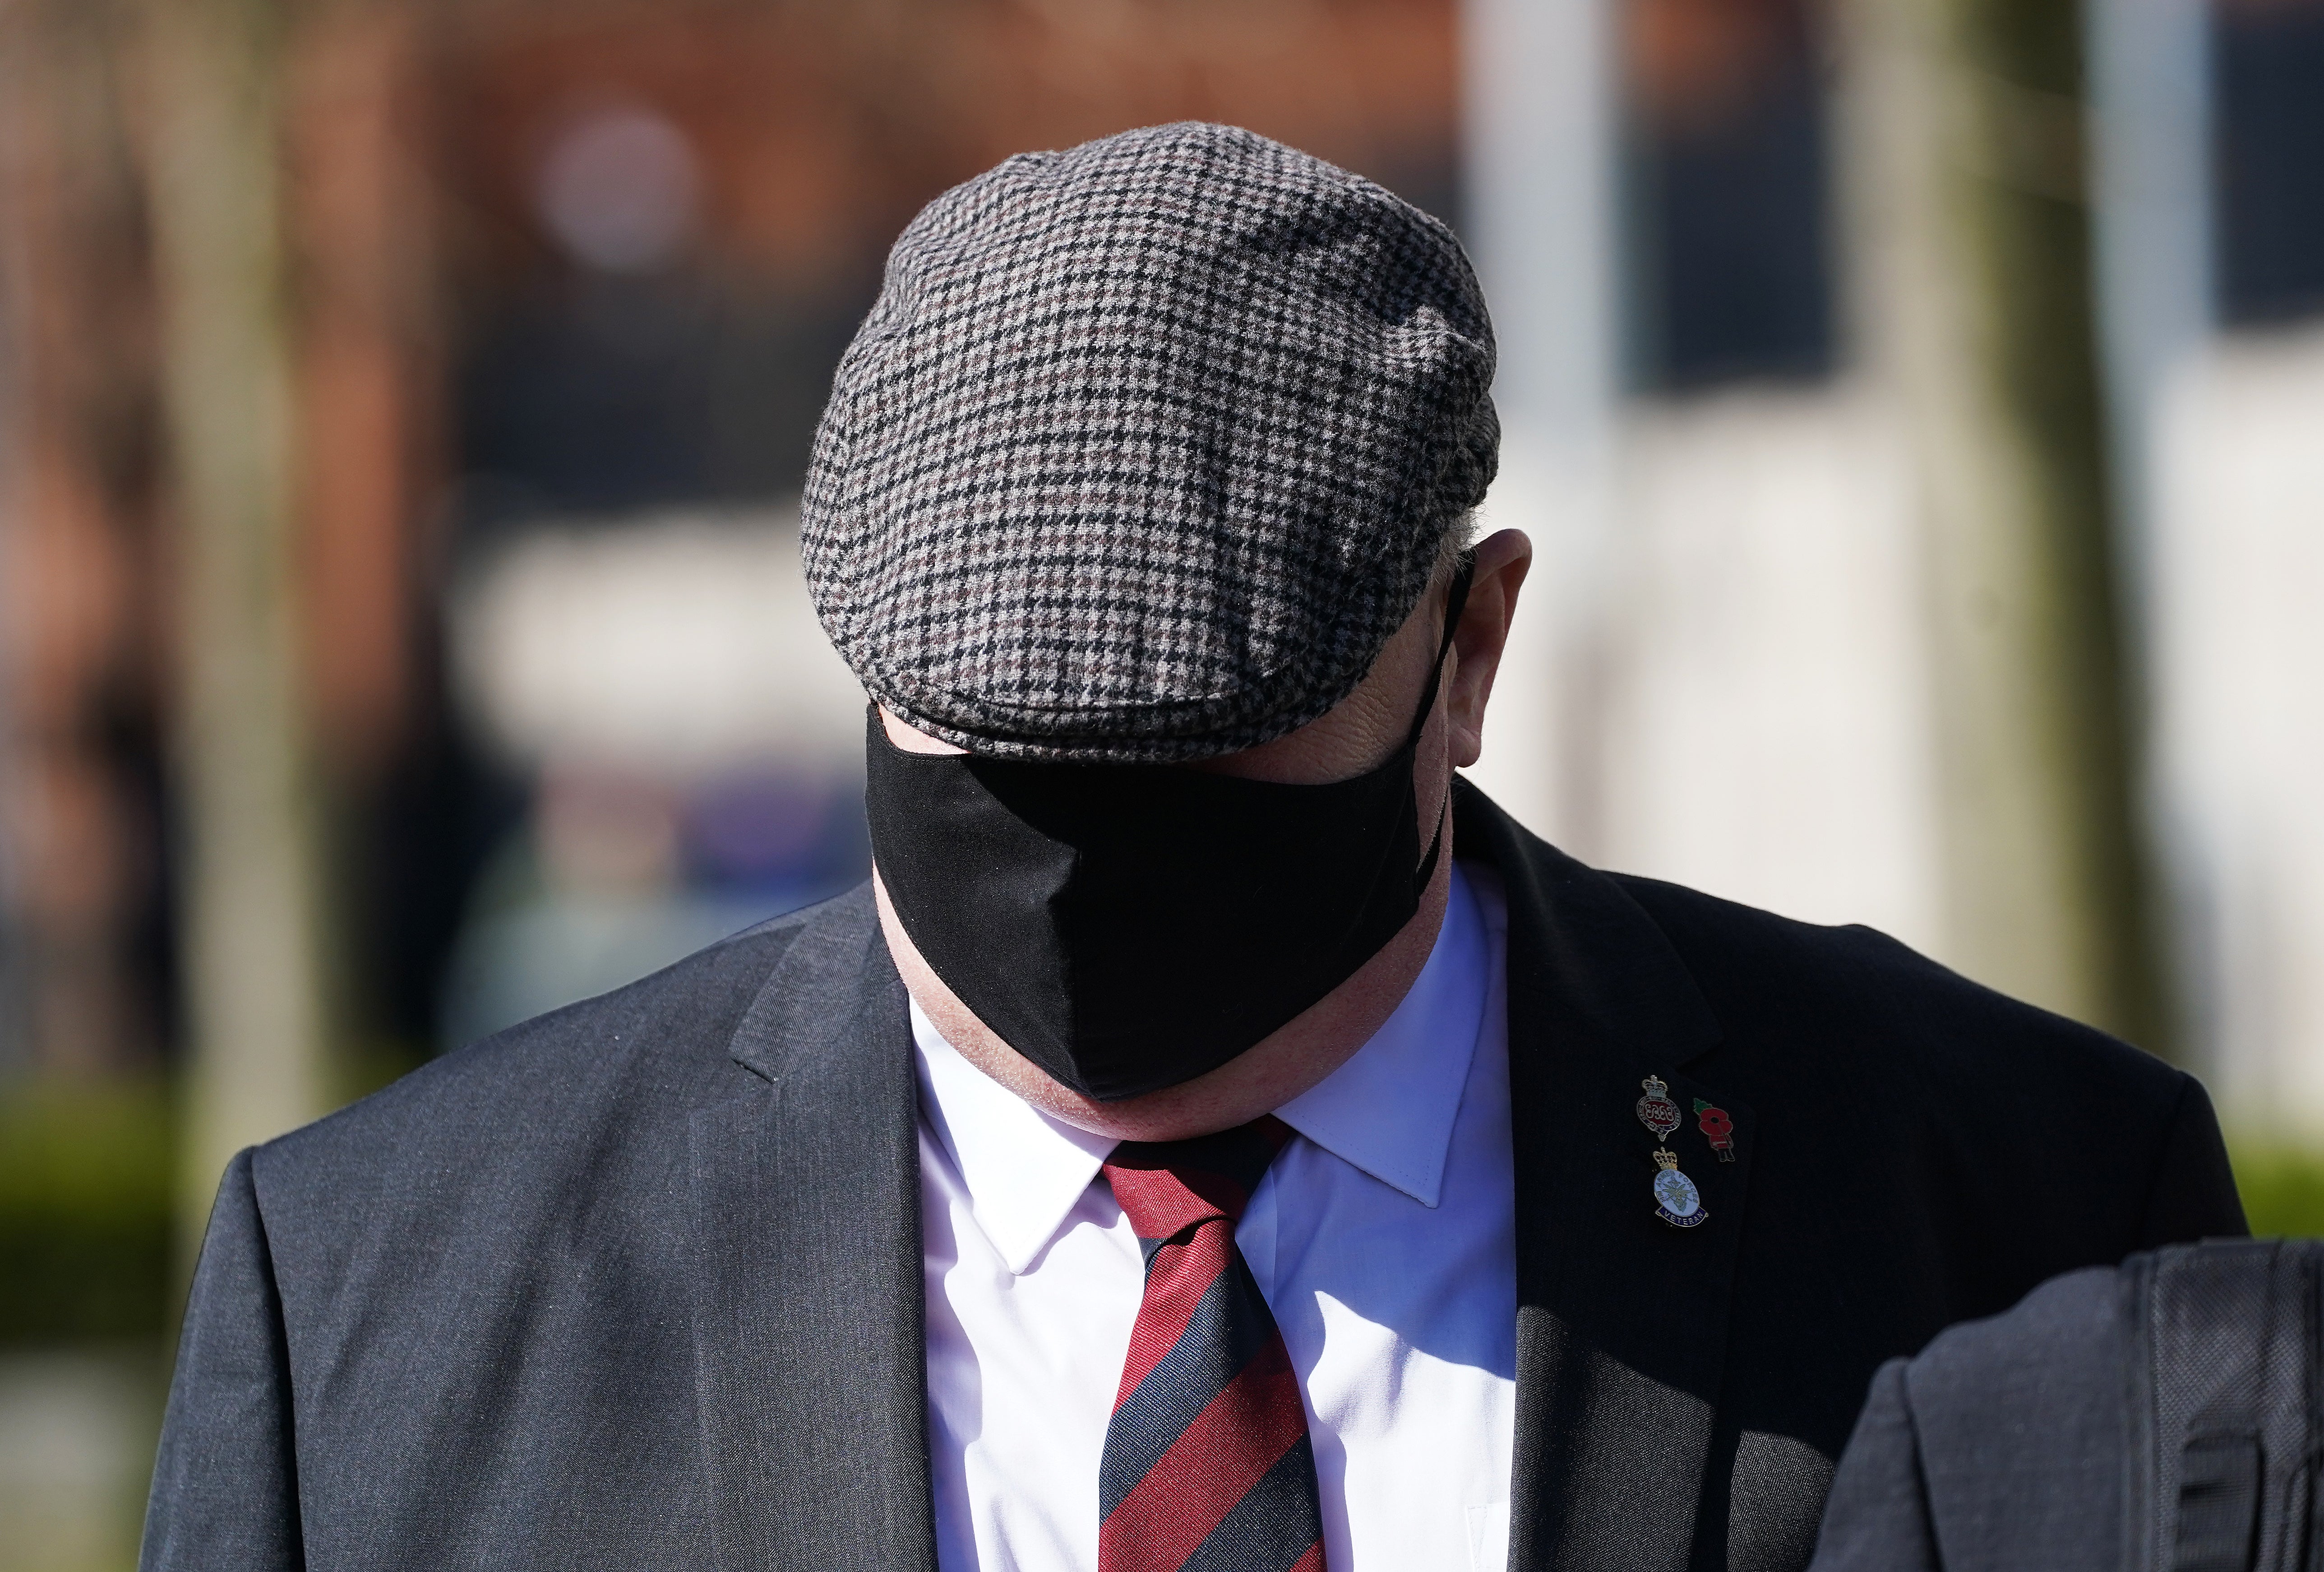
1133 927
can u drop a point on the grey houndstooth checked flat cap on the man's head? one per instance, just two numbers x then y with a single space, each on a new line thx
1147 448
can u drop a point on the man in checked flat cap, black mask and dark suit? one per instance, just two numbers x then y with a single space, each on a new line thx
1219 1138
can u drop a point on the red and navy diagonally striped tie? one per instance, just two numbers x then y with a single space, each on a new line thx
1207 1457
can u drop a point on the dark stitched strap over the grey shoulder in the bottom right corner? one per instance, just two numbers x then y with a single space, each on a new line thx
2223 1406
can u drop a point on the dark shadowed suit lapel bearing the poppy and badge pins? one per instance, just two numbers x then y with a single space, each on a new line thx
1621 1317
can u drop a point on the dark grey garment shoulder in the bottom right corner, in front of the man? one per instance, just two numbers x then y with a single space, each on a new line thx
2156 1415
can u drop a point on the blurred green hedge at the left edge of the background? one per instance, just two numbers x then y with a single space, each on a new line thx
85 1210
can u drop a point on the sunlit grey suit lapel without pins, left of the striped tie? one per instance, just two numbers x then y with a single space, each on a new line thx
808 1245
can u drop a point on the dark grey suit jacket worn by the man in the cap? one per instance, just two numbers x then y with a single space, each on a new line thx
640 1282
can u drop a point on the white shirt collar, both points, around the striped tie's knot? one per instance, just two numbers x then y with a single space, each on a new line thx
1389 1110
